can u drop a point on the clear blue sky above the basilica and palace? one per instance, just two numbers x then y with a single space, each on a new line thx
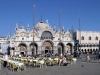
21 12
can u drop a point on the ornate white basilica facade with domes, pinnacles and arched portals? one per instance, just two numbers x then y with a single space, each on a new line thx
41 40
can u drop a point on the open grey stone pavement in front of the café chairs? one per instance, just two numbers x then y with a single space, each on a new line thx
88 68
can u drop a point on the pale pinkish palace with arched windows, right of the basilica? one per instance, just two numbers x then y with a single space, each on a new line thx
88 40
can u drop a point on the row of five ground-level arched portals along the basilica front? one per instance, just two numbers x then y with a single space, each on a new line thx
47 47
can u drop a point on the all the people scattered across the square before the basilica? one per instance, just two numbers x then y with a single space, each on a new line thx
76 54
